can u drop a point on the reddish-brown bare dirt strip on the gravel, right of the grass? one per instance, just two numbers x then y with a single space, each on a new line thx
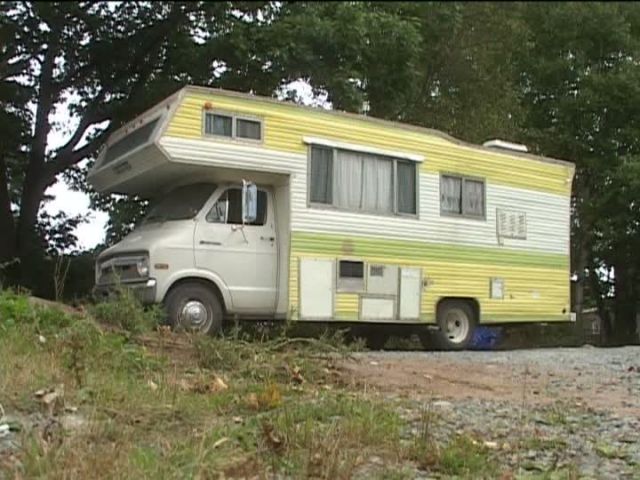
417 375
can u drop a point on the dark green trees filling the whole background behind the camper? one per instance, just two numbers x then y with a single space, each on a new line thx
562 78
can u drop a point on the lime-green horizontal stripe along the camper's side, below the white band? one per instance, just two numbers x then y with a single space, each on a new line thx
316 243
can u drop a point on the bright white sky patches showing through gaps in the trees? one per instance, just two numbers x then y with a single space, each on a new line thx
72 203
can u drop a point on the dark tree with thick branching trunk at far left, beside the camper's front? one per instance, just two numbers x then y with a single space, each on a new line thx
107 62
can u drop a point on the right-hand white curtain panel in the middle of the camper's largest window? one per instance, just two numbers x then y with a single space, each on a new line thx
377 185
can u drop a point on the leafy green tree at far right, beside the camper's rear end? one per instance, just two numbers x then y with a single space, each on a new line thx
581 85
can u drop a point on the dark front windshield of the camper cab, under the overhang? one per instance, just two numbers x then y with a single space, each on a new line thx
180 204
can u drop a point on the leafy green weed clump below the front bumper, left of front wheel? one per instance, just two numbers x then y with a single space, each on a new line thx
125 311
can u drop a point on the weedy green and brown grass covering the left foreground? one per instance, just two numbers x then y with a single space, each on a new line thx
155 404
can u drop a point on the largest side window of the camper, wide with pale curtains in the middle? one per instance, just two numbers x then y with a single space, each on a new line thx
362 182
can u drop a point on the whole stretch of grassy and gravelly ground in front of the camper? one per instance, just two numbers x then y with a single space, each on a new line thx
540 413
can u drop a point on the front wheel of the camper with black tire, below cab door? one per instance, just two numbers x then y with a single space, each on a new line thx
193 301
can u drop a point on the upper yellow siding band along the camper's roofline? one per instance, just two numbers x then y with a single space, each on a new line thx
285 125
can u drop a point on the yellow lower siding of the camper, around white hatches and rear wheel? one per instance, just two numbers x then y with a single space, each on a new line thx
531 289
